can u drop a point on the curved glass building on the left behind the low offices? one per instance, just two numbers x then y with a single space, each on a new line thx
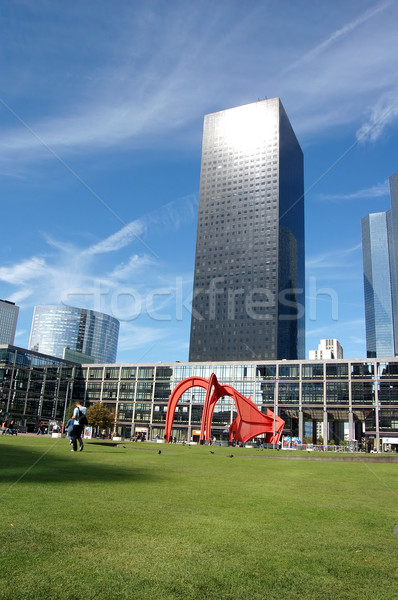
92 333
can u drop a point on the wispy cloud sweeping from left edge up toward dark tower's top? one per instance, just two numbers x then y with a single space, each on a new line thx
140 97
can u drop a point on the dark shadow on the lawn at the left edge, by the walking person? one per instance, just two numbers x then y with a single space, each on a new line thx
51 462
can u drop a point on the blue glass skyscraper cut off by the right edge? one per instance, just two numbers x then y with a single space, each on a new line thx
380 264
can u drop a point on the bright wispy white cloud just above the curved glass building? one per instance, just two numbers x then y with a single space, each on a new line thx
99 275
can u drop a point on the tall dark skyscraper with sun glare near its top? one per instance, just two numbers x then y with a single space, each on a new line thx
248 295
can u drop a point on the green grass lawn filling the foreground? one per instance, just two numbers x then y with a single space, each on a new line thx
128 523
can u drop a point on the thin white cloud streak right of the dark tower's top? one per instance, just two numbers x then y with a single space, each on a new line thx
330 86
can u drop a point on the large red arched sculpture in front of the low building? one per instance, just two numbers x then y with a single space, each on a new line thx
249 422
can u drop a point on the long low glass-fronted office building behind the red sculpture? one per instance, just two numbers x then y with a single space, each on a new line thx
355 399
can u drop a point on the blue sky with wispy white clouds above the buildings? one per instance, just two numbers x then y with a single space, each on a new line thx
102 109
